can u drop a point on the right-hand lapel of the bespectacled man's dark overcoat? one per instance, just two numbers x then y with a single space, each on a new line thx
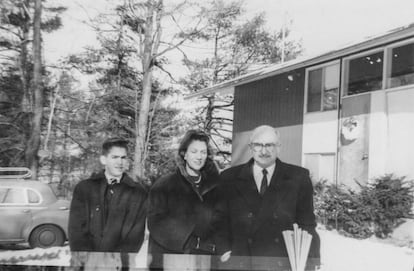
277 190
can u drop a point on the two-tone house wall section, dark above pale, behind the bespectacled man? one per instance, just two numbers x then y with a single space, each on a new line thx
276 101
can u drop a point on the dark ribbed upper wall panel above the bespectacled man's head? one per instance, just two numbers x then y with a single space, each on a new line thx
277 101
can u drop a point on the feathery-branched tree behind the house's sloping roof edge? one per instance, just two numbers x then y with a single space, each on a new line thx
238 46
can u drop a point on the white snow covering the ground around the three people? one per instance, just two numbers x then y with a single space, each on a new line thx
338 253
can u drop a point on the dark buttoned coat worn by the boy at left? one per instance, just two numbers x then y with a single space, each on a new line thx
125 224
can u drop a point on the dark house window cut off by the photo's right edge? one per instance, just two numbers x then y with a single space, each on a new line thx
402 66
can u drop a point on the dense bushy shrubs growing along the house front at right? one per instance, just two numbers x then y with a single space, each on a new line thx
377 208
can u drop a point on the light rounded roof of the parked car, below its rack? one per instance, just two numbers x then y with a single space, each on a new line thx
44 189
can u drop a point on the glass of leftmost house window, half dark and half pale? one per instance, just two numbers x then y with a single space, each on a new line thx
323 85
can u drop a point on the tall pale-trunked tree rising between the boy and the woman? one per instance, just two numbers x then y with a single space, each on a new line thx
146 18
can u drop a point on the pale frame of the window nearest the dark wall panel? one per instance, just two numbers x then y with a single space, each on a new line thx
307 71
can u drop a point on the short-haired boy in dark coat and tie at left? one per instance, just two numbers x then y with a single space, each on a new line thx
108 210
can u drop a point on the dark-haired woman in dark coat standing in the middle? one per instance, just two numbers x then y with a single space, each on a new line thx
185 210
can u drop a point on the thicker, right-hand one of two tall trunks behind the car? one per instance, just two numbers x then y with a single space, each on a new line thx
33 144
